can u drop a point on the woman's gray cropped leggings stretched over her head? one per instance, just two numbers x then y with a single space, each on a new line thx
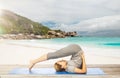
66 51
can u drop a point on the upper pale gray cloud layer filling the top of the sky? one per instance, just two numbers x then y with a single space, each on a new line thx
62 11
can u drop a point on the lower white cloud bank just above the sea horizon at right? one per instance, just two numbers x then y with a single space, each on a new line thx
108 24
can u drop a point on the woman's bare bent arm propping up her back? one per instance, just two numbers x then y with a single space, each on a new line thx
84 68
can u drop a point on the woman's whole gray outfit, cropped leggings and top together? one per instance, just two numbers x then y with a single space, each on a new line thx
74 50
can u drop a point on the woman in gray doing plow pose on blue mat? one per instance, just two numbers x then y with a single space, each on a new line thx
75 65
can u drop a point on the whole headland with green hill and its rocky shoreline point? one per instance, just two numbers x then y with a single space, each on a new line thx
14 26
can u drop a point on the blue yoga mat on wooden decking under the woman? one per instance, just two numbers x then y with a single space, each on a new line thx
51 71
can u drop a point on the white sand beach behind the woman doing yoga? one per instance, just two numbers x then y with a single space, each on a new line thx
21 54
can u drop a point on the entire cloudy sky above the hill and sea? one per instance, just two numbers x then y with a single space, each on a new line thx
88 17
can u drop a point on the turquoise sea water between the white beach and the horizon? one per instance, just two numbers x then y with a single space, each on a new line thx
87 41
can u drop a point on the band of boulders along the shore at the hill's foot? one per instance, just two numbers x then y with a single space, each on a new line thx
50 34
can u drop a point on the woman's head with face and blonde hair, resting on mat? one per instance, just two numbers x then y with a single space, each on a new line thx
60 65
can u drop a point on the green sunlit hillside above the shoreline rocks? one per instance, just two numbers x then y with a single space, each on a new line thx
11 23
